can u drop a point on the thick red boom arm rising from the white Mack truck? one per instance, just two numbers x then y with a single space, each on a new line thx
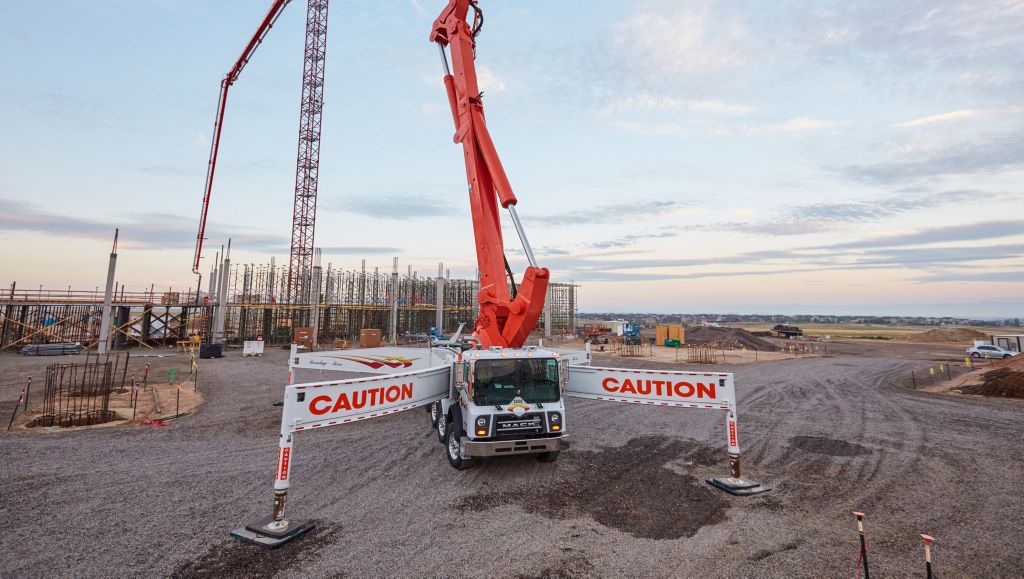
505 320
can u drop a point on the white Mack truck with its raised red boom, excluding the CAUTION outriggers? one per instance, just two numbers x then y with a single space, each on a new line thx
504 399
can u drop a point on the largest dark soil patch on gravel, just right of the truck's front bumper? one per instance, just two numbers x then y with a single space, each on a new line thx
624 489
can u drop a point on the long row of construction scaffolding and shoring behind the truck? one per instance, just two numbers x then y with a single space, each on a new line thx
403 307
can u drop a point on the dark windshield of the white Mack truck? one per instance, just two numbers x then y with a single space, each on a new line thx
498 382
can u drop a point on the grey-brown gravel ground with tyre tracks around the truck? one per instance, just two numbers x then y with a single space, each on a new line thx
832 435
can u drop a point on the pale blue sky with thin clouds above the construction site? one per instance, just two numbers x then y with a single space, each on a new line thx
669 156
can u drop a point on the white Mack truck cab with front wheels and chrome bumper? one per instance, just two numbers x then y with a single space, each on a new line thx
504 402
